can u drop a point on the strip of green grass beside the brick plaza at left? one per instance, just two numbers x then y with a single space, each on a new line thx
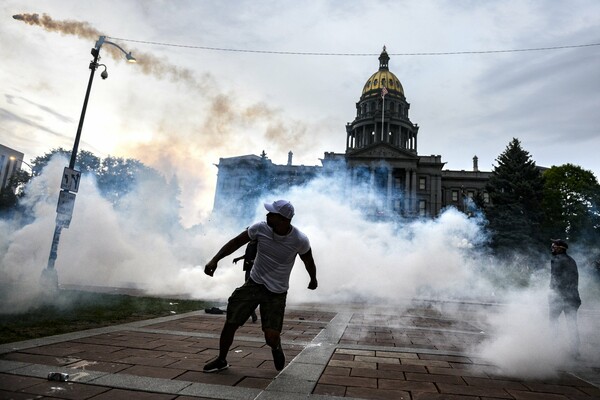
73 310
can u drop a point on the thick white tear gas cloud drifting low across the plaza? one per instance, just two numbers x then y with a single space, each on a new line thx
138 245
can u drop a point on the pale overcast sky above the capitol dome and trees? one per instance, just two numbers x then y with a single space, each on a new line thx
183 107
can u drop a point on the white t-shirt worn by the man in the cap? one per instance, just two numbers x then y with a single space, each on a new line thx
275 256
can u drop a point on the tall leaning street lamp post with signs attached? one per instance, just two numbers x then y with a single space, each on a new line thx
71 177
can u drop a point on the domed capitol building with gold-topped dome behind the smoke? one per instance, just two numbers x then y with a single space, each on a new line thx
381 155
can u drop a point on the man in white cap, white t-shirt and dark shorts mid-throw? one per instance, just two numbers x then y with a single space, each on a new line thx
279 242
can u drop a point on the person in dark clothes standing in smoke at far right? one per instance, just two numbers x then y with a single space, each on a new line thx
564 292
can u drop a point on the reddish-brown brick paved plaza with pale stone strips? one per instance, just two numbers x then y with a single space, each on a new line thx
332 353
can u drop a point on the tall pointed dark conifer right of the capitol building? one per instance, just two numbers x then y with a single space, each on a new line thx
516 190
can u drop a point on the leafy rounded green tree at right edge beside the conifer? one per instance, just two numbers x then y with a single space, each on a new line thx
571 201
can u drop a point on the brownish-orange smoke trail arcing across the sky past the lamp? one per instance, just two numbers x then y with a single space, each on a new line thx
188 145
